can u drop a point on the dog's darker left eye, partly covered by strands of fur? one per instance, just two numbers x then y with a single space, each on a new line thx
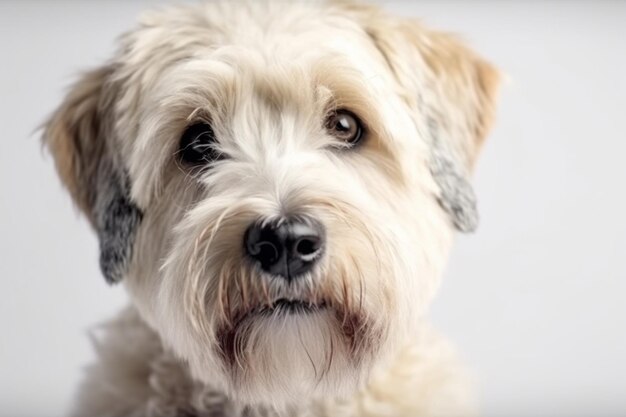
197 145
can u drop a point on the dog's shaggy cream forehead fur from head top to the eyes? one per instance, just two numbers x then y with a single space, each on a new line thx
223 58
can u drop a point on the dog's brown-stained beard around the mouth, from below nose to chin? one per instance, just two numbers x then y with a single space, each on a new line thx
275 340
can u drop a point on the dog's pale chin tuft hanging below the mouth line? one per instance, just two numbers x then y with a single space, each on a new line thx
290 349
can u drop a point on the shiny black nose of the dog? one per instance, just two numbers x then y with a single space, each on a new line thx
287 248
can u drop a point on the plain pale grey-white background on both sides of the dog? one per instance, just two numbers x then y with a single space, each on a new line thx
535 300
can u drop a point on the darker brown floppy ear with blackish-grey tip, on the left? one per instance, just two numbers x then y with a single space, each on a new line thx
80 136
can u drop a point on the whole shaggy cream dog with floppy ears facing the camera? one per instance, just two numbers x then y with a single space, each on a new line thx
277 186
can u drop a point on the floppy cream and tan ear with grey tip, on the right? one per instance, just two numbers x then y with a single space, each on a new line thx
452 92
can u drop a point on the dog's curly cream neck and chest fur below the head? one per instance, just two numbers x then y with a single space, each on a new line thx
136 376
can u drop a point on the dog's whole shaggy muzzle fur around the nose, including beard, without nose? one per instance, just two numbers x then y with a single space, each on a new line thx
271 338
